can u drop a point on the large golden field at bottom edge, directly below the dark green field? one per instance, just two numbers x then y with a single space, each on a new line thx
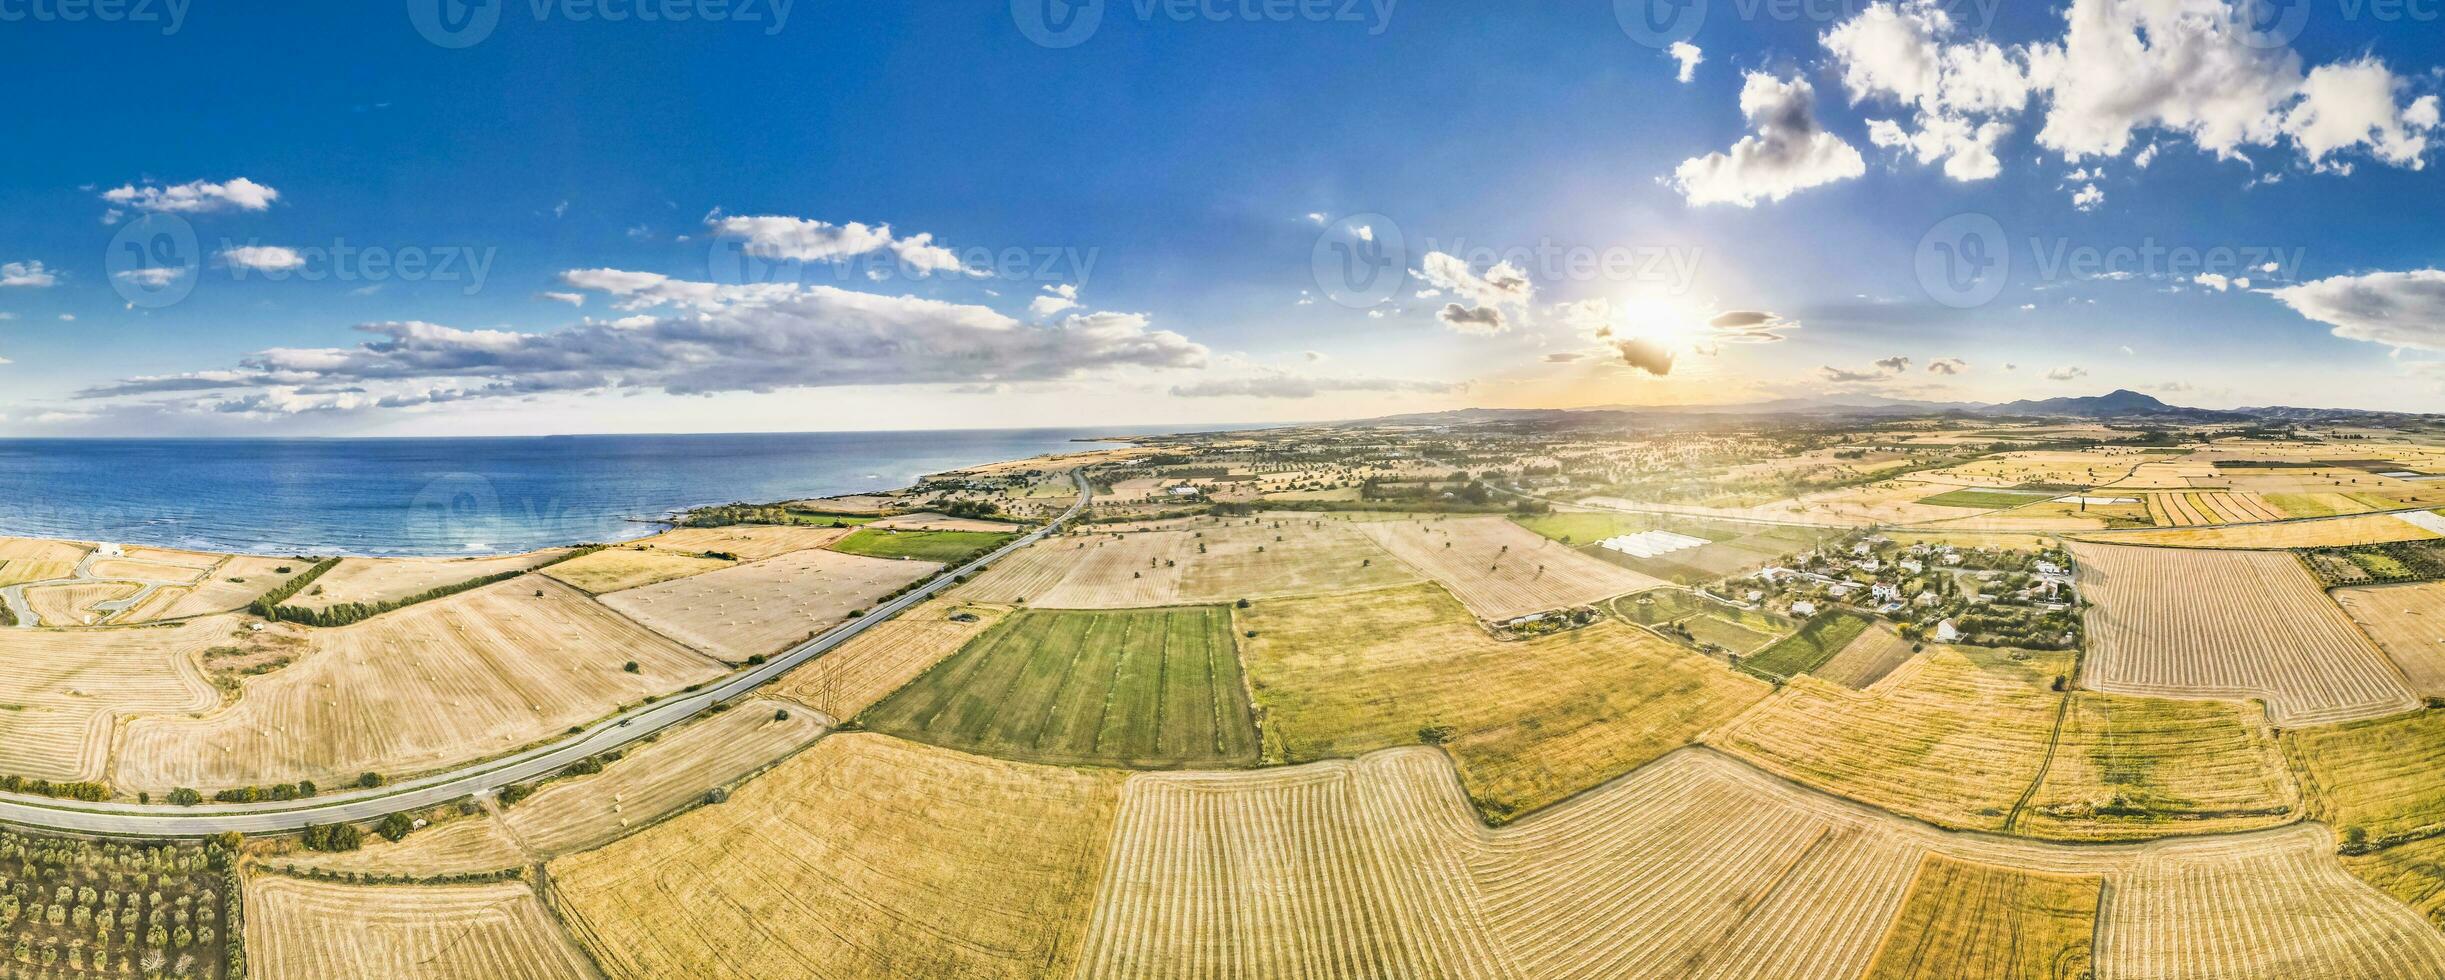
862 857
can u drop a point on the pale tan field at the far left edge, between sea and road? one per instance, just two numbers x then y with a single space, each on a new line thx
70 690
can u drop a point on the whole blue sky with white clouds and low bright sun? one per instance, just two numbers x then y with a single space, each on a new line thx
1131 229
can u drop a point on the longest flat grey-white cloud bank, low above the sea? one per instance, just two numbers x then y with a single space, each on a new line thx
715 338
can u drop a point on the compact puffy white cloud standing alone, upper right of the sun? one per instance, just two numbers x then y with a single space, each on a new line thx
1786 150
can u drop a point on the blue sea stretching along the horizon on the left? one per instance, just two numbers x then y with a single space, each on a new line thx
449 497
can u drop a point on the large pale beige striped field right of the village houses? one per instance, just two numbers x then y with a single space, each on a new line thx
2231 627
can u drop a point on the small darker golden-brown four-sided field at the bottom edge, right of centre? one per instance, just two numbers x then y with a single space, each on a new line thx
1969 920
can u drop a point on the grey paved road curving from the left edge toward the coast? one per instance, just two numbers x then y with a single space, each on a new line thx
160 820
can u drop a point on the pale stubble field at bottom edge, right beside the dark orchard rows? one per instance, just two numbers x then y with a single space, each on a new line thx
302 930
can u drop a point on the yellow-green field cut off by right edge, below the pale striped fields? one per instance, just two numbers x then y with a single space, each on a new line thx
2378 776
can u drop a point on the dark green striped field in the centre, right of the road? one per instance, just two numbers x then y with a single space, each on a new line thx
1141 688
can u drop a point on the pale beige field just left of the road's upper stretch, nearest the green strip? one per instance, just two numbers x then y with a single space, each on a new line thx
767 607
